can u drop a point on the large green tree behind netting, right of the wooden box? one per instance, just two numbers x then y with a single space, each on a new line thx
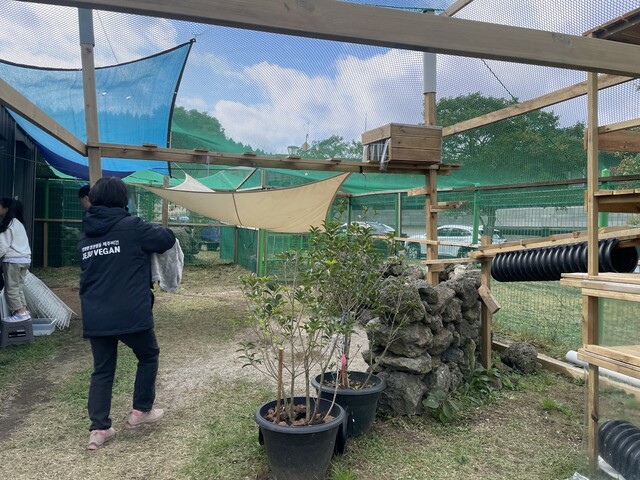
526 148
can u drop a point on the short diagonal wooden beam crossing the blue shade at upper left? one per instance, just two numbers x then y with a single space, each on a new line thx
14 100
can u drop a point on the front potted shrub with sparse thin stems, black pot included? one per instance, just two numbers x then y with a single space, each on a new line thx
292 339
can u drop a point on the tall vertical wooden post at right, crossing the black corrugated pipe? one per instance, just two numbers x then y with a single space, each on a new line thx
590 304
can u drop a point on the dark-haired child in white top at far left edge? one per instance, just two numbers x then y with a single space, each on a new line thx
16 258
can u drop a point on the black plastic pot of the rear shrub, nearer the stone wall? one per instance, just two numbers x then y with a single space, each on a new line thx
360 404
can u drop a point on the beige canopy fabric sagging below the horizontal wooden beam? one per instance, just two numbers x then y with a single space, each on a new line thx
286 210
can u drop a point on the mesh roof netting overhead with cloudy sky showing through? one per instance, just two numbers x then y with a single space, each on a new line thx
273 94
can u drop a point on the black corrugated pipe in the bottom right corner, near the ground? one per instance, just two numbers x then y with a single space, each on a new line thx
619 445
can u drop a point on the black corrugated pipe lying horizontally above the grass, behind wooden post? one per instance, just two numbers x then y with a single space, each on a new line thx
540 264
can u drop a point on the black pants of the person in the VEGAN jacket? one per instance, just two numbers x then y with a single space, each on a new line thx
105 355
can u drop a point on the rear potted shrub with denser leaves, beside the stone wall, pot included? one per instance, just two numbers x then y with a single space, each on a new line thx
346 271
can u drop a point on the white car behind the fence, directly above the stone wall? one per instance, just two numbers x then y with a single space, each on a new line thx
460 236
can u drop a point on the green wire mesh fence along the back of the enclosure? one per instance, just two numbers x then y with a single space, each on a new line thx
545 313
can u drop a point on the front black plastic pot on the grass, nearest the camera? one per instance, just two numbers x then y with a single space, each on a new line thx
301 452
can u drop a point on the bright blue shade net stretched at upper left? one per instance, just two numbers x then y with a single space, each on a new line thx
134 100
